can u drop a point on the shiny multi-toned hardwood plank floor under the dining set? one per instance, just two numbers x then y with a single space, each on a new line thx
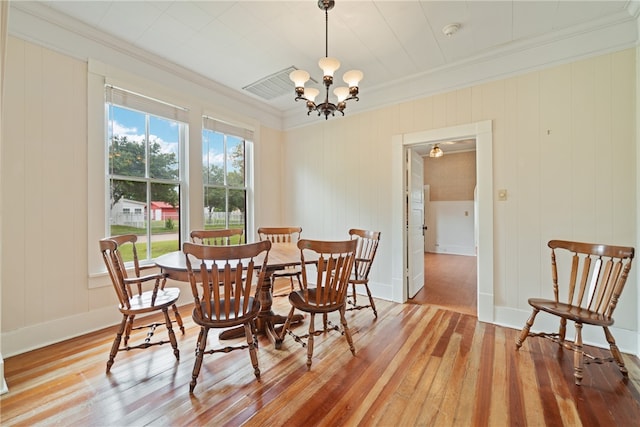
415 365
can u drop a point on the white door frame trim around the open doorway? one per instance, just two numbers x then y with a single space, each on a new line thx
482 132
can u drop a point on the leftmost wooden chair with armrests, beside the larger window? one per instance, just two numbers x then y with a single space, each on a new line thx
134 300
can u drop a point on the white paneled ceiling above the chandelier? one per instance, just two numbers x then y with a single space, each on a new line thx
399 45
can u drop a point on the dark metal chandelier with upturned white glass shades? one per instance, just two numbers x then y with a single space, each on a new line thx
328 66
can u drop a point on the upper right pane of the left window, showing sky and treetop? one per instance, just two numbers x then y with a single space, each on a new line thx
164 146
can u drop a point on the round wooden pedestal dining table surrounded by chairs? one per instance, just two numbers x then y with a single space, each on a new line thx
281 255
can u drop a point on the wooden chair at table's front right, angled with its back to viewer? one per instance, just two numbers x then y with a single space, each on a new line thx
325 284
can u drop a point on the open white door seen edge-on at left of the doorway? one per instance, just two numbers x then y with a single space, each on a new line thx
415 223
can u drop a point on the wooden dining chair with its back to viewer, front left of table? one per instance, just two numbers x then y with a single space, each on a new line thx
222 295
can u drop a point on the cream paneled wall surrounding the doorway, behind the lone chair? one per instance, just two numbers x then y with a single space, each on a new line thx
564 147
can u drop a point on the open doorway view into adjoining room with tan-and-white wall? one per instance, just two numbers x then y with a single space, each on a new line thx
450 270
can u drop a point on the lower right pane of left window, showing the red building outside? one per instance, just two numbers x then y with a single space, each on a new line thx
165 219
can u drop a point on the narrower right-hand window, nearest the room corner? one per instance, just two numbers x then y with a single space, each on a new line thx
224 159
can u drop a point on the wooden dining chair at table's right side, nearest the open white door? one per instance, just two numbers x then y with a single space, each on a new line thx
365 253
